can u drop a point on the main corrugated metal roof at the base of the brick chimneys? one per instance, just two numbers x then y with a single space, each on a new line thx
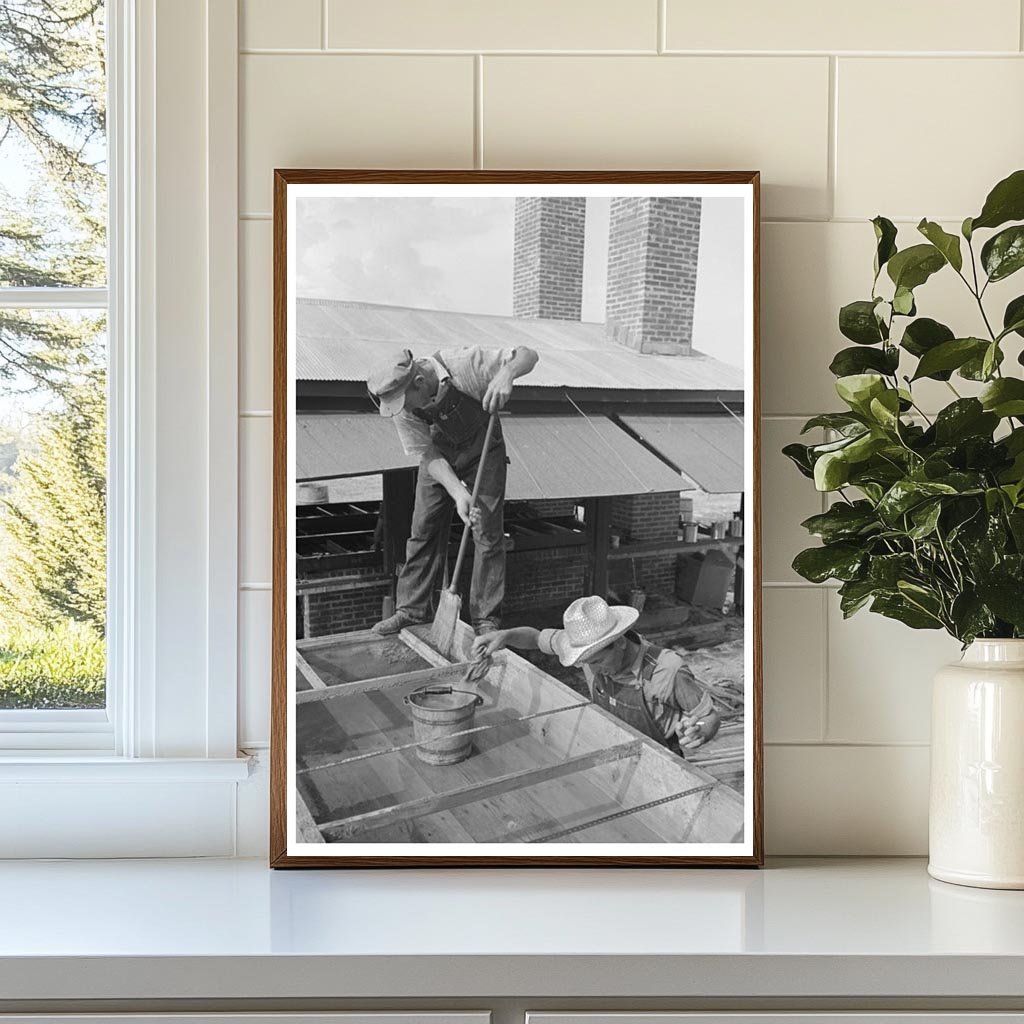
338 342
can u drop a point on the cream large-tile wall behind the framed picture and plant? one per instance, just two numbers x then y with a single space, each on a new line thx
909 110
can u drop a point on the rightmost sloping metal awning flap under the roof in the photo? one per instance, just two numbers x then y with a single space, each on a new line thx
707 449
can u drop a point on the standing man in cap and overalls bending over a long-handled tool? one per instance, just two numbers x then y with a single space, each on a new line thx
441 406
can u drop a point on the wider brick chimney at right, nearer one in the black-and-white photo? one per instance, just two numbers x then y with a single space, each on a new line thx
653 273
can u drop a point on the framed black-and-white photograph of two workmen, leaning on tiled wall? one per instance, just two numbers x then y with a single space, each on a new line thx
517 559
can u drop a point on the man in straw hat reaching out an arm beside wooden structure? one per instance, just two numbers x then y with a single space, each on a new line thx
647 687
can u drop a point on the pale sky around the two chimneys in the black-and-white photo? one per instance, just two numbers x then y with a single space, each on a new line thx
456 254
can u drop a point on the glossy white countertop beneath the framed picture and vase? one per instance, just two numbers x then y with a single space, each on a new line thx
234 929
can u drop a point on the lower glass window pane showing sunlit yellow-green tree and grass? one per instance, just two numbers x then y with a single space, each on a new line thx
53 508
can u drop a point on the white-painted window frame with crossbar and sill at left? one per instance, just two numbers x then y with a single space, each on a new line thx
162 719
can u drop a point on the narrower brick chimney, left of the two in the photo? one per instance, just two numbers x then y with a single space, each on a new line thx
547 278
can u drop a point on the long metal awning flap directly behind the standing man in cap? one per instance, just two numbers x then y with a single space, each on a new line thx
565 456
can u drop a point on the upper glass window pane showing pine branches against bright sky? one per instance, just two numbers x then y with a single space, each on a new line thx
53 144
